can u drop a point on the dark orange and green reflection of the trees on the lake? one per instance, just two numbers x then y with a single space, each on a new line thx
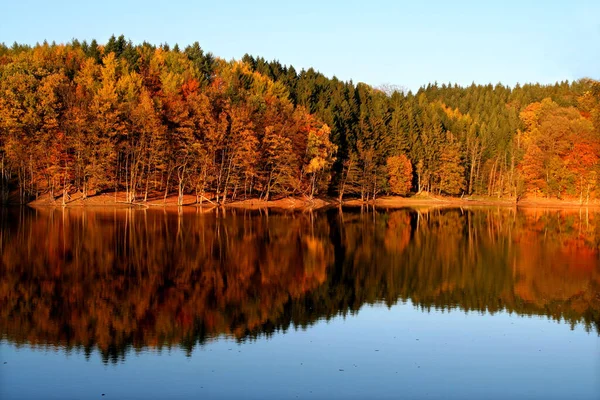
119 279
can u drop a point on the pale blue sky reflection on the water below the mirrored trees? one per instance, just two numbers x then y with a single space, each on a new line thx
396 353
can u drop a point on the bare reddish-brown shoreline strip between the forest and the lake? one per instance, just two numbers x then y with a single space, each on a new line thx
298 203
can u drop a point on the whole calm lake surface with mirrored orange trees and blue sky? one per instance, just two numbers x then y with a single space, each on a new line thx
385 304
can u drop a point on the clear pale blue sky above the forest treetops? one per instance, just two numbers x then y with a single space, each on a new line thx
406 43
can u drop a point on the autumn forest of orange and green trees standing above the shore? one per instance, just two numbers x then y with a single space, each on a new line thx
157 121
